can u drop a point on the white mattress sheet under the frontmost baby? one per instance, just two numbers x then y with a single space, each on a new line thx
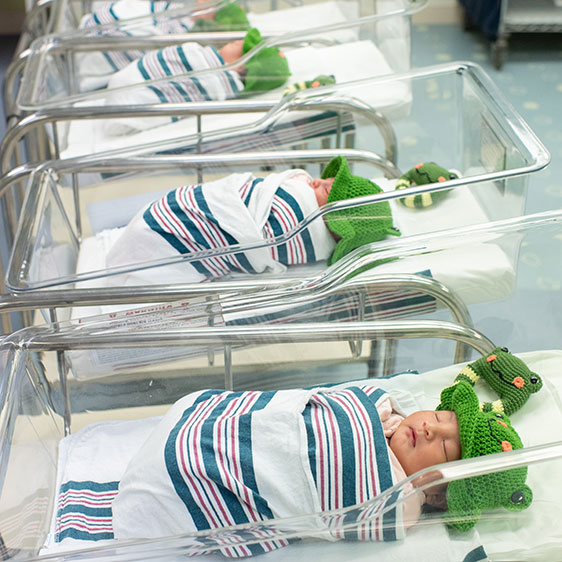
80 459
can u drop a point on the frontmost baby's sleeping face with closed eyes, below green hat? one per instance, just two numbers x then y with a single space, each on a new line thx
426 438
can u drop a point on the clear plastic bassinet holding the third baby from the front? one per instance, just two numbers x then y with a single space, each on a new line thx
87 60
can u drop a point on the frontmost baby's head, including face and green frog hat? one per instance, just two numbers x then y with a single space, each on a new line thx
458 429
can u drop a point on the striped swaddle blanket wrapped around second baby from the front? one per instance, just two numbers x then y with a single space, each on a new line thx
237 210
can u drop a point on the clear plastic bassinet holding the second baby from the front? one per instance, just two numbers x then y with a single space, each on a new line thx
483 139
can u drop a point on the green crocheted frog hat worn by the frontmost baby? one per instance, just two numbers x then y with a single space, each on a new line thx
482 433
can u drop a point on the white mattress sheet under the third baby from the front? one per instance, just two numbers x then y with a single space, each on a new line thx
347 61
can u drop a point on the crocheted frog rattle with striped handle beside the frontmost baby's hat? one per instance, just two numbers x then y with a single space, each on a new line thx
507 375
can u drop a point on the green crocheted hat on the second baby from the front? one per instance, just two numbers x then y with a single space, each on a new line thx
359 225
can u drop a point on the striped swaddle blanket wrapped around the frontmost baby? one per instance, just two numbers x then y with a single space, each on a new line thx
220 458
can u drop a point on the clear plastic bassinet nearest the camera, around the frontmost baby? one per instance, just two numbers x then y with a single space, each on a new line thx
37 406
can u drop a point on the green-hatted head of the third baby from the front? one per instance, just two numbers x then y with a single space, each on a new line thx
266 70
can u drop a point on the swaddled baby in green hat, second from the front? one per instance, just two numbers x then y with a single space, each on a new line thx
242 209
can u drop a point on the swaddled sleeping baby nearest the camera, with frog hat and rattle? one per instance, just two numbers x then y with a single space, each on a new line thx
221 458
